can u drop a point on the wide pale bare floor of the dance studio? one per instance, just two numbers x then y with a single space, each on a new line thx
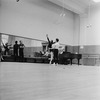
32 81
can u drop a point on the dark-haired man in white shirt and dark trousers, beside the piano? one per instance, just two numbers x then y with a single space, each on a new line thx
55 47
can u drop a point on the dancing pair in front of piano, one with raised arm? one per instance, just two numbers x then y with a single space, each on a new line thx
54 50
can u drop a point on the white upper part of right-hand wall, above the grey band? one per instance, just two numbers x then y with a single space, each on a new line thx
91 35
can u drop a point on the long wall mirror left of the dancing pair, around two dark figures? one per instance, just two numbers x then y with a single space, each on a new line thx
31 45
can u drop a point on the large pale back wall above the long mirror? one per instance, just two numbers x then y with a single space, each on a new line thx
35 19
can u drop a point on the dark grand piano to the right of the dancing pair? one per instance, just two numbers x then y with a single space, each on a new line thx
67 57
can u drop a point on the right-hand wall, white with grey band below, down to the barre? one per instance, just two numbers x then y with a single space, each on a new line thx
90 31
